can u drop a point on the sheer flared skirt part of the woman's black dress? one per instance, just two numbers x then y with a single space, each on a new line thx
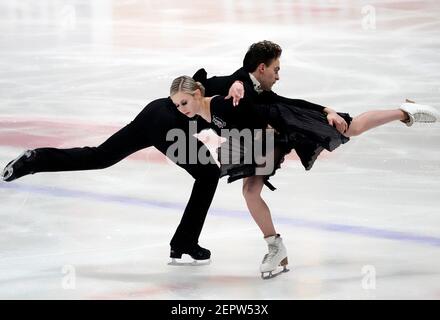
305 130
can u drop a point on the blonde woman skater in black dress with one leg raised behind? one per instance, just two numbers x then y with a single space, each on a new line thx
307 130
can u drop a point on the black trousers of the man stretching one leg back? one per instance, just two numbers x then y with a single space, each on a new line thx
148 129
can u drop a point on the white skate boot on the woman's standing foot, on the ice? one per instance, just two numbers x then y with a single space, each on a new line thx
277 256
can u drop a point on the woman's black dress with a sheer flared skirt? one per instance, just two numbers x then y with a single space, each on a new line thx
304 129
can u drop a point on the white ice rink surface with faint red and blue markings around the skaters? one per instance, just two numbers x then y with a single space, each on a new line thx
364 223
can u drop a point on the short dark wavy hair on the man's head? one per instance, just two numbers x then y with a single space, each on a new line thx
260 52
